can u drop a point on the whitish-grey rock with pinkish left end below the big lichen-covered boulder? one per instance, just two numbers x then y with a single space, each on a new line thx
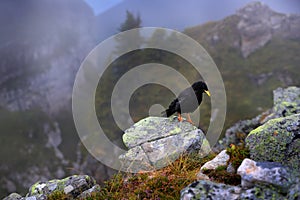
266 173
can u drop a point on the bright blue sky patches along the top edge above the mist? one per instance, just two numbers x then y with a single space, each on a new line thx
285 6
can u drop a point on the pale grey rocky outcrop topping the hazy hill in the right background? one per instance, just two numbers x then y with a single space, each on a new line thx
258 24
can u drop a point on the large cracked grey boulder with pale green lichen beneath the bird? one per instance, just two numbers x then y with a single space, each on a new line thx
155 142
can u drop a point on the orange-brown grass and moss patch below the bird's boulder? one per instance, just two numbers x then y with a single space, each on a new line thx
165 183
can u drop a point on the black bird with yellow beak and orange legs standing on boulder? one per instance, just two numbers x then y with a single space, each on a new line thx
187 101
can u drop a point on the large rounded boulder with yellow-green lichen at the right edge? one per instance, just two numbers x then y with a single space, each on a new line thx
277 140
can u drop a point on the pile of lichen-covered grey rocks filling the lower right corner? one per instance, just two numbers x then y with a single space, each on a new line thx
273 140
